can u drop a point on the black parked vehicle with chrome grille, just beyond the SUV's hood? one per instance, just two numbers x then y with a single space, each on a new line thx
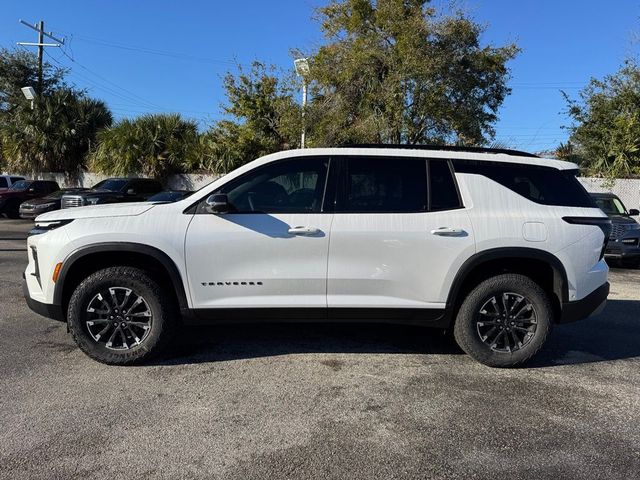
114 190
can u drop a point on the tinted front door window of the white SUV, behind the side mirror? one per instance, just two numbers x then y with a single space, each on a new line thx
290 186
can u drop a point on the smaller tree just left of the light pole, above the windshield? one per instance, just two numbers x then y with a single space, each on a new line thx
263 117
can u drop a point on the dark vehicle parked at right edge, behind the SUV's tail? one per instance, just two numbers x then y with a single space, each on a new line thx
624 241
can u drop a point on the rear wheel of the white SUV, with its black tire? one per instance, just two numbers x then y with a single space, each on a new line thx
472 324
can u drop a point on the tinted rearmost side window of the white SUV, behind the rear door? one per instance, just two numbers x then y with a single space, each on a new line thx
543 185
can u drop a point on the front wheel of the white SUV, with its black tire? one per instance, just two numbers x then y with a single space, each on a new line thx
152 339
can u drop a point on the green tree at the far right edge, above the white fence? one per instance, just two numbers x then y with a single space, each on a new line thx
606 128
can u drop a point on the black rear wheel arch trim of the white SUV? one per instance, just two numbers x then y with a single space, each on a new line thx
539 265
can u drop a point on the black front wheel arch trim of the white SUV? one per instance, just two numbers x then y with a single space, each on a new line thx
89 259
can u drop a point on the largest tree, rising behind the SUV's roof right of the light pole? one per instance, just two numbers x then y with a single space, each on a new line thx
397 71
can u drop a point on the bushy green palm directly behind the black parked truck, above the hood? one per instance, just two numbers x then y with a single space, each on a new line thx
155 145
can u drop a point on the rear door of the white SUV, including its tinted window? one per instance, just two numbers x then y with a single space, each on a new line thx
399 234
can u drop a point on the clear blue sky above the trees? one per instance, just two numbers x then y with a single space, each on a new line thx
149 56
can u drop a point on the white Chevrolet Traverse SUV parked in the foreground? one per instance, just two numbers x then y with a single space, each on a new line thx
496 245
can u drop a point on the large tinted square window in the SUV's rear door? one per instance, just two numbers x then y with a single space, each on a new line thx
384 185
